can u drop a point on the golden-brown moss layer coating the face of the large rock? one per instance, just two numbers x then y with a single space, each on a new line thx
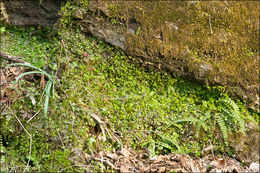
223 34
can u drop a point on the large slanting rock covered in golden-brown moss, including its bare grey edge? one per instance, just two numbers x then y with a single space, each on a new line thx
210 42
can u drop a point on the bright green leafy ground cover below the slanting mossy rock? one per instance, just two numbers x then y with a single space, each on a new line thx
100 101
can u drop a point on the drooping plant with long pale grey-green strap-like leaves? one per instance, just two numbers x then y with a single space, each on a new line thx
49 85
